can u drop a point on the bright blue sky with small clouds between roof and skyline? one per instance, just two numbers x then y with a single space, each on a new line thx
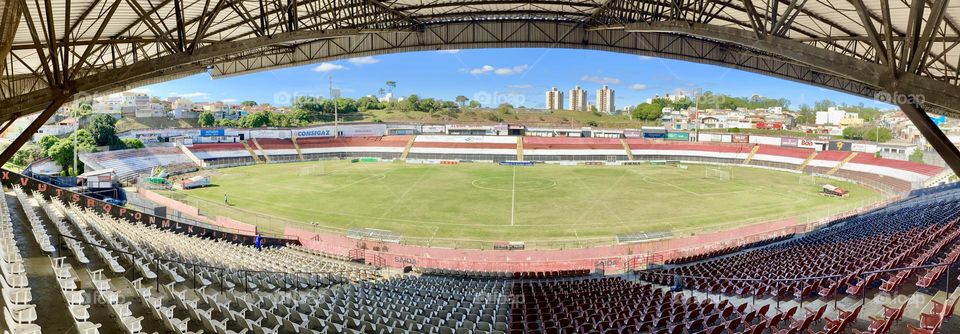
517 76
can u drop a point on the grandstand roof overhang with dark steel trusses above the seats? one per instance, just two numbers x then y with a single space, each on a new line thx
903 51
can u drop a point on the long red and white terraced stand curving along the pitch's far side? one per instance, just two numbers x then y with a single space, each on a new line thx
893 176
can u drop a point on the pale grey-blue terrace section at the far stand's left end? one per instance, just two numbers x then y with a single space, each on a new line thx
130 163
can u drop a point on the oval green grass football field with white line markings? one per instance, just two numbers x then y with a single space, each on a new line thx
489 202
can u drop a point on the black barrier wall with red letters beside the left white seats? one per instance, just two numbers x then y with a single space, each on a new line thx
10 179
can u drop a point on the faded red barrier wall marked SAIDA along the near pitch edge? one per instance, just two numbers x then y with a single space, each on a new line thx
613 258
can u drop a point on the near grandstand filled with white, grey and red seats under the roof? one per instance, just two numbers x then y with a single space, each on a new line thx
142 278
